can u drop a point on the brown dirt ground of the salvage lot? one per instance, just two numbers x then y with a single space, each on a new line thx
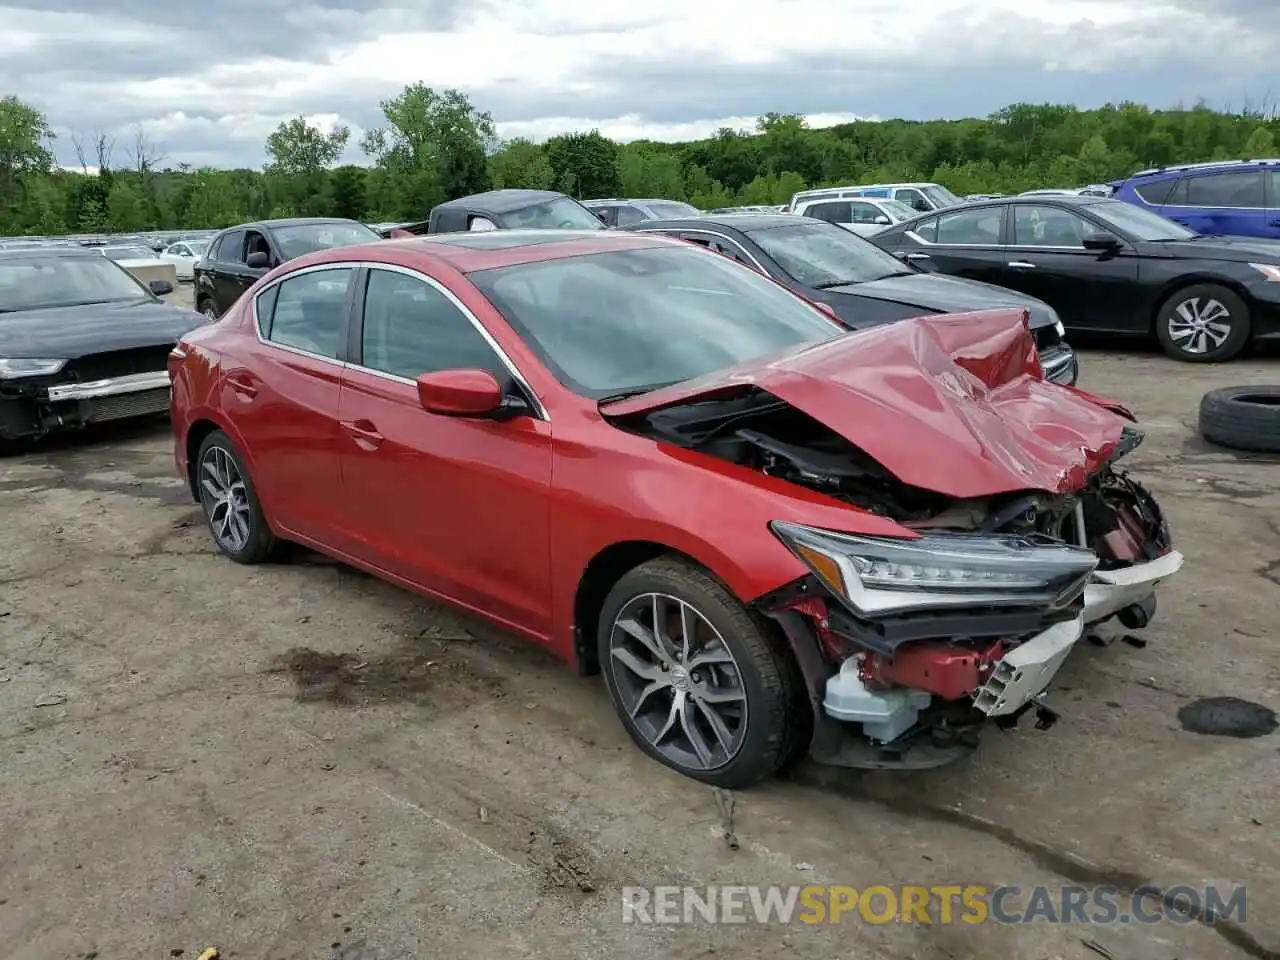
299 761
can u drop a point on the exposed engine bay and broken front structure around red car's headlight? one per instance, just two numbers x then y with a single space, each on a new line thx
918 687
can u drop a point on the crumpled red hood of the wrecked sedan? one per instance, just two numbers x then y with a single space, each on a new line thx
953 404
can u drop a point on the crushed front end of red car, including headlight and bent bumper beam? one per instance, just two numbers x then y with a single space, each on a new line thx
921 643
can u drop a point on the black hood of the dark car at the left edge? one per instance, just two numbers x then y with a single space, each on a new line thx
67 333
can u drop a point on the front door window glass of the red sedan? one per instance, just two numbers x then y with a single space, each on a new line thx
412 328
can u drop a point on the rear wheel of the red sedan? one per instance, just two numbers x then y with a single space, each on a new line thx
230 502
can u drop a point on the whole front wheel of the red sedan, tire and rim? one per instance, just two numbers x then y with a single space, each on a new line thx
700 684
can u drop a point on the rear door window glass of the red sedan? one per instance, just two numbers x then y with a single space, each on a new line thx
309 313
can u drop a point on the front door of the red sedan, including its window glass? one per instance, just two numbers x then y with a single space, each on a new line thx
456 506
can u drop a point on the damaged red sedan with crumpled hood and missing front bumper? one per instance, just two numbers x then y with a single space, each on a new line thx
770 534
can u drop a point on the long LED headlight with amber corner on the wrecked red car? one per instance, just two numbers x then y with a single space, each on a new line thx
880 575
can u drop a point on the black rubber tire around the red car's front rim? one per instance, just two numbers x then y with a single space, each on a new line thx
767 673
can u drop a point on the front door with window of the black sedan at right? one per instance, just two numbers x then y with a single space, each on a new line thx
1090 290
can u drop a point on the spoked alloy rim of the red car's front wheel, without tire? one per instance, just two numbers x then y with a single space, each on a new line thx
678 682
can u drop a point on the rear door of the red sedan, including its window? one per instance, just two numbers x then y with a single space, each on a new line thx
284 397
